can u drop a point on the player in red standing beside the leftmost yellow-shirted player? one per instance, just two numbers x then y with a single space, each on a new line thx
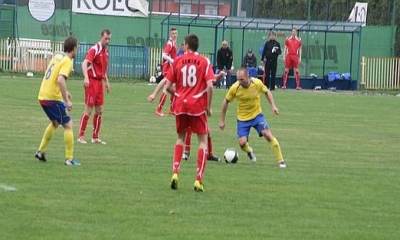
94 69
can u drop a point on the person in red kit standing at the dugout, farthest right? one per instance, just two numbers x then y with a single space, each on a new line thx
292 57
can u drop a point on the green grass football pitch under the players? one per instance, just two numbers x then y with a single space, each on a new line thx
342 180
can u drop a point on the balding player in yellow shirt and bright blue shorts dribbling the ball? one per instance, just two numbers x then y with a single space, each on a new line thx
248 91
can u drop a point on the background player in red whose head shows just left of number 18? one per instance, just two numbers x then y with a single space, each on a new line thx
168 55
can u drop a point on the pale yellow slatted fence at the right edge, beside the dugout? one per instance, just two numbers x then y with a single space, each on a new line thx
380 73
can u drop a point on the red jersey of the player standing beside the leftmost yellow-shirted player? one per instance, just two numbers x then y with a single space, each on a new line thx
98 59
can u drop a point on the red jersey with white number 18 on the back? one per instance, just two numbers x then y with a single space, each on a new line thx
190 73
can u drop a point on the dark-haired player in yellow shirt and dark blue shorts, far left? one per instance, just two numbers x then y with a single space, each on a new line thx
55 100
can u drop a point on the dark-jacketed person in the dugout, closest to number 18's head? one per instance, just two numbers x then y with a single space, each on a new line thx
224 62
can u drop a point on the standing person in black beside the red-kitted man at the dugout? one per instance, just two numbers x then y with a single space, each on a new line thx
272 49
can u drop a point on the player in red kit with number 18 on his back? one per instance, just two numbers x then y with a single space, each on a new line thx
193 78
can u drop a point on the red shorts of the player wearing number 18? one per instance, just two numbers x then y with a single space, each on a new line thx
198 124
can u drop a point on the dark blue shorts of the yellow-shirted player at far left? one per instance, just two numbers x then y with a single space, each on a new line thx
55 111
